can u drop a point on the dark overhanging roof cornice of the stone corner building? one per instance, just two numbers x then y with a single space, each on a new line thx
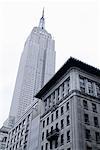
71 62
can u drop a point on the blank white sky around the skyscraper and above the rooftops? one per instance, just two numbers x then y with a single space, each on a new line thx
74 24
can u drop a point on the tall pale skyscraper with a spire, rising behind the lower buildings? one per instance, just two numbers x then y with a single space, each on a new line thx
37 66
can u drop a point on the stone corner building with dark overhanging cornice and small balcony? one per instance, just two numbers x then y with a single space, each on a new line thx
70 119
